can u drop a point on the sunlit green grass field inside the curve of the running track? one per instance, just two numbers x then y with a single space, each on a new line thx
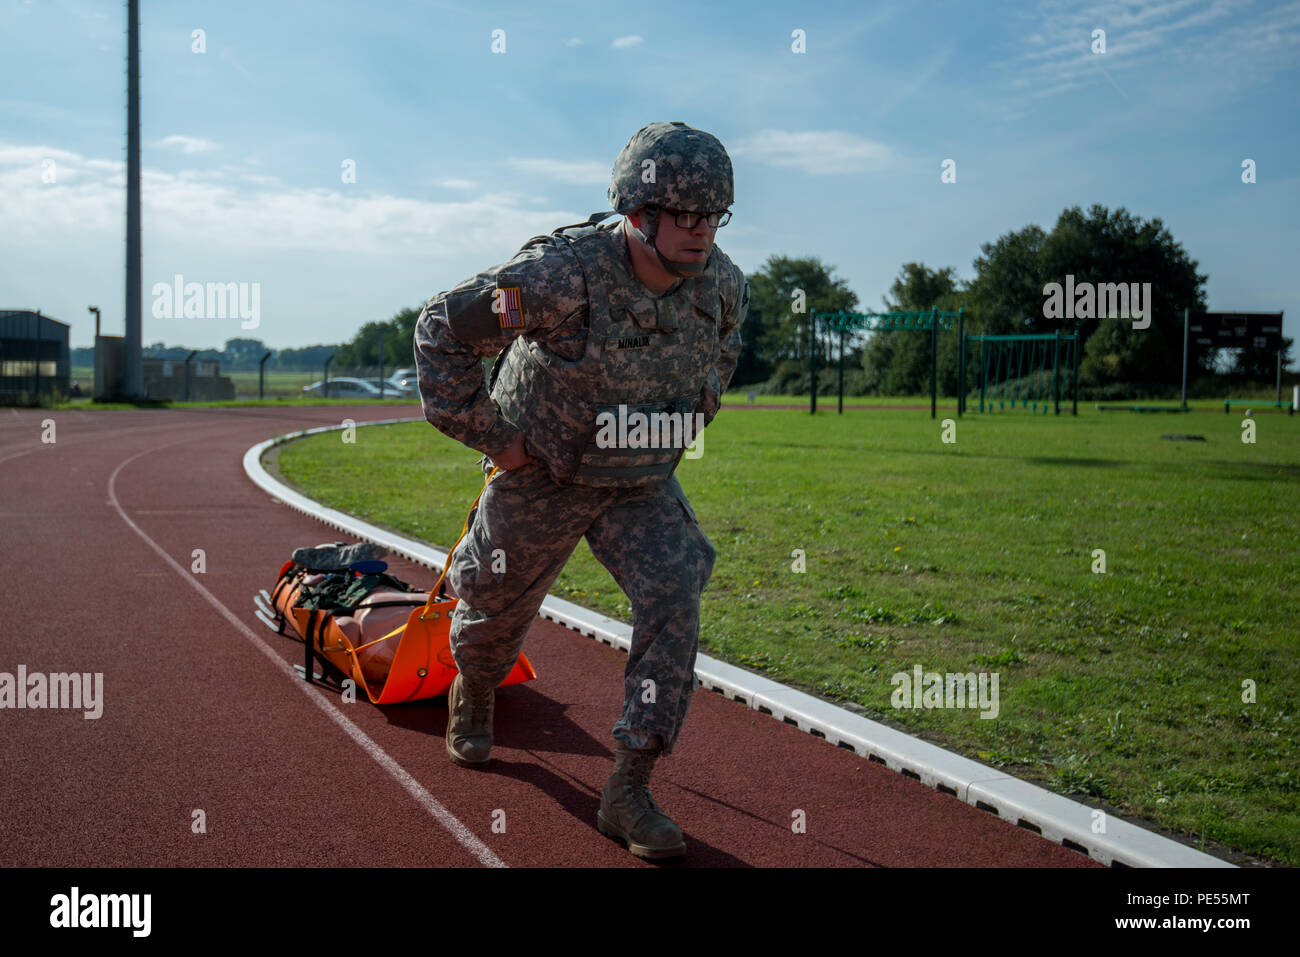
980 556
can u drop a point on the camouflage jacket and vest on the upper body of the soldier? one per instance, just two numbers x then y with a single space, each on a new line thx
582 336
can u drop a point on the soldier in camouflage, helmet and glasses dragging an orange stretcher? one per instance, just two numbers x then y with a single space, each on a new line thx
640 317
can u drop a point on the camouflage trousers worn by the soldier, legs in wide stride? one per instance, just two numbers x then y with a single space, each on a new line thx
519 539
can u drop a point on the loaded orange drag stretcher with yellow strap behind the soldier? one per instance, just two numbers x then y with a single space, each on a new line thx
409 662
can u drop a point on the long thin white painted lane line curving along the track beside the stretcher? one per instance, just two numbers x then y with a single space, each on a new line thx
447 819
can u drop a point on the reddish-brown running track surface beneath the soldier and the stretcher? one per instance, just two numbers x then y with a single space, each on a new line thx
201 711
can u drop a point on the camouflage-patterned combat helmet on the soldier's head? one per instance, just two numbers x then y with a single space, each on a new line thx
675 167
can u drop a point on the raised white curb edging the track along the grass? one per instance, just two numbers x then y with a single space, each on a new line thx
1019 803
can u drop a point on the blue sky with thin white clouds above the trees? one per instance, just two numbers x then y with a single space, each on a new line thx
463 154
